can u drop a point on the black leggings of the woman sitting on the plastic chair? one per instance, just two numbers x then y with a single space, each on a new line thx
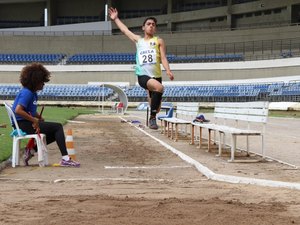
53 131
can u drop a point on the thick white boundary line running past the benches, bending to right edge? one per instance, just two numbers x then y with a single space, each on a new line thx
221 177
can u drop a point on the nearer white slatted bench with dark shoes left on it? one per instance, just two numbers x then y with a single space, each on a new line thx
249 112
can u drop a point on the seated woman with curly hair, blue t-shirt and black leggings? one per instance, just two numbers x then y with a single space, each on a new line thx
33 77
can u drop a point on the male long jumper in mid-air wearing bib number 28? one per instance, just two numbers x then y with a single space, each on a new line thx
151 52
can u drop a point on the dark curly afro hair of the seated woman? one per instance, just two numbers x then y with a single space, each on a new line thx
33 75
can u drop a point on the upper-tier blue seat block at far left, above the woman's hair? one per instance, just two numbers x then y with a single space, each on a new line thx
29 58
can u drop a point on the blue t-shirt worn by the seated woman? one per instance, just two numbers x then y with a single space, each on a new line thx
28 100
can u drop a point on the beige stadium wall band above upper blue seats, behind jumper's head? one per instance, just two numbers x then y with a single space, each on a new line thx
119 43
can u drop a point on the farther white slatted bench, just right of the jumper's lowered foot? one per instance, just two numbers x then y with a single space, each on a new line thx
185 113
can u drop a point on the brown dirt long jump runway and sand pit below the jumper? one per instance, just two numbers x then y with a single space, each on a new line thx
130 174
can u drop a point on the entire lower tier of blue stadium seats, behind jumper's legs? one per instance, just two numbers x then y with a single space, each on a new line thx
277 91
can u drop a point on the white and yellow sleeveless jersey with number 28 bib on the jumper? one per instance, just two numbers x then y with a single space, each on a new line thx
148 57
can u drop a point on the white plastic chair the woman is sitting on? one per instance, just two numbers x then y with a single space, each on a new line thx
39 138
